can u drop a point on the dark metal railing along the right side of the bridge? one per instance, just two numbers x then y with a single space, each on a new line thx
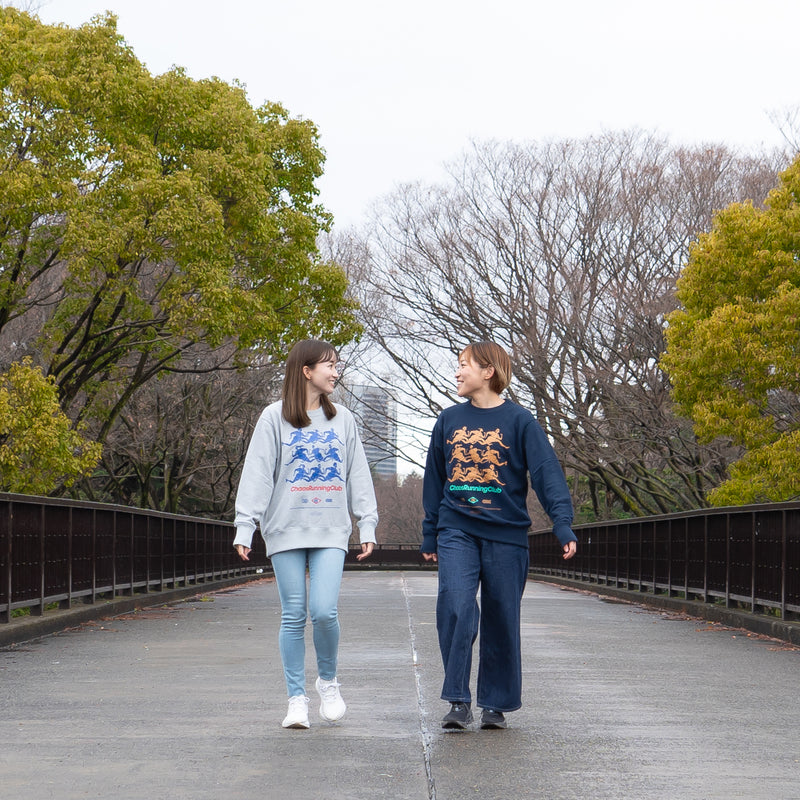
746 557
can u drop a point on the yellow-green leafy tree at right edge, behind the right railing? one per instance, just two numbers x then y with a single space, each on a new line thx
733 349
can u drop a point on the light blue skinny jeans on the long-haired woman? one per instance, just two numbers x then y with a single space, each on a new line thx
320 601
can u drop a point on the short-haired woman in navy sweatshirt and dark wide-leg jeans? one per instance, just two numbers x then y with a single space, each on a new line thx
476 527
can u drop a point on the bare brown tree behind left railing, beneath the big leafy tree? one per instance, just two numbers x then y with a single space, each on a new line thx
180 442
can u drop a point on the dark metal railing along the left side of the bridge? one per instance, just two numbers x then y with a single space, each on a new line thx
55 551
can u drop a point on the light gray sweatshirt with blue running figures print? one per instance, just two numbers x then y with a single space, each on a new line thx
299 485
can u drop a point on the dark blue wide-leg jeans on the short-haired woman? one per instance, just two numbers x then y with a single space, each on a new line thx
467 563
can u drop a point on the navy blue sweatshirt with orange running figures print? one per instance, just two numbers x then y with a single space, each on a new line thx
476 476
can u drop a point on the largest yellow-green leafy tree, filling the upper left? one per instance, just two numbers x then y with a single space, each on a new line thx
144 218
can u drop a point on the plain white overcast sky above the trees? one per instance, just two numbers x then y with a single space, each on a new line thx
398 89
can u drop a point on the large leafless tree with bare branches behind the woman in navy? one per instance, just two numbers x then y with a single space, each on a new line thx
566 253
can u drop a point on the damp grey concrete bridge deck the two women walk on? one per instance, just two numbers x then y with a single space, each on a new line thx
184 702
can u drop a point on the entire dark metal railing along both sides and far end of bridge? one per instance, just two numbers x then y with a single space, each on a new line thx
55 551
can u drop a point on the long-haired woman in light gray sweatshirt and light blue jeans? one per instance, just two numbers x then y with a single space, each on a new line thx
304 474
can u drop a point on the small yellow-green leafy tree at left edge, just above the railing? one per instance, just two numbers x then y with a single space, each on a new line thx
39 449
